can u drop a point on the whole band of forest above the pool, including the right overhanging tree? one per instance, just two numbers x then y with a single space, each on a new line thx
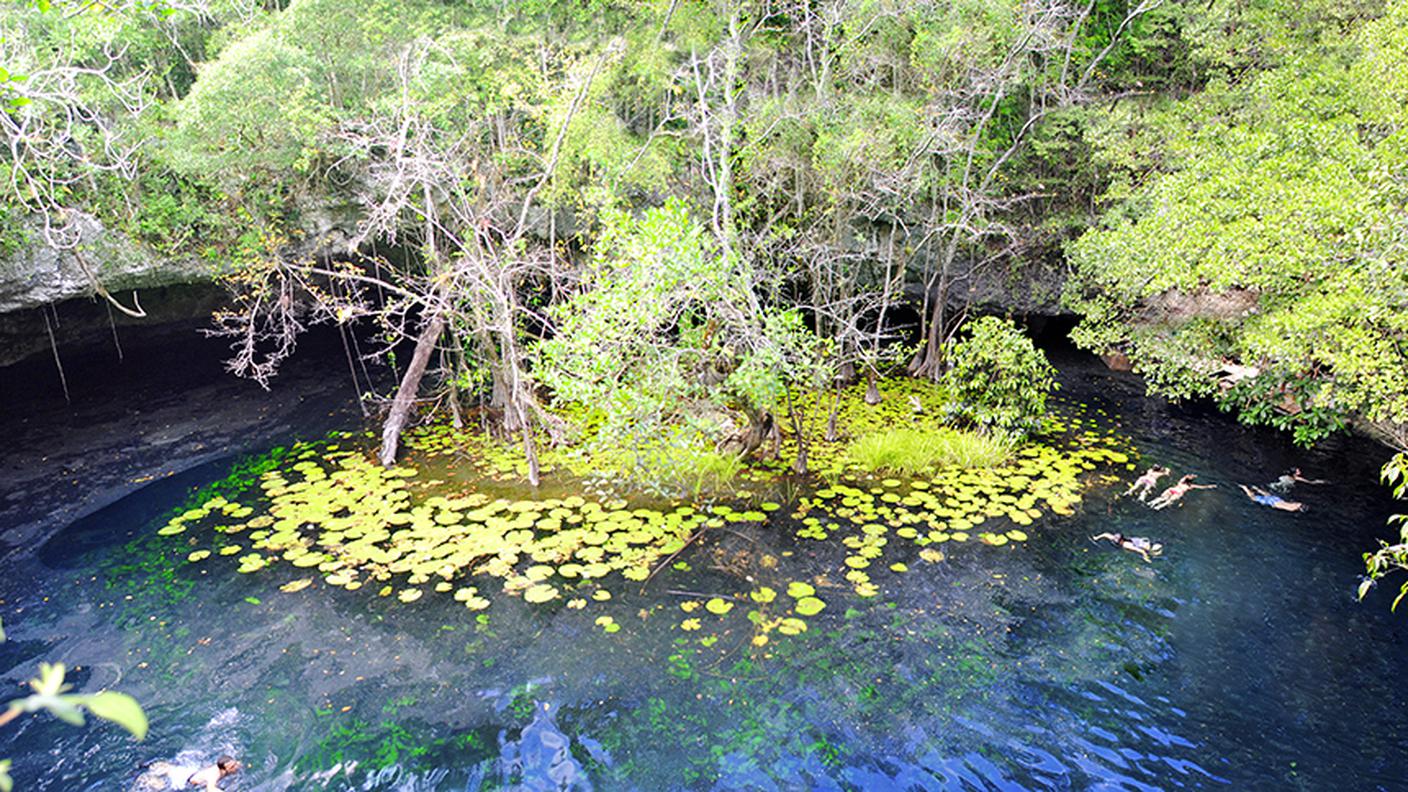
670 215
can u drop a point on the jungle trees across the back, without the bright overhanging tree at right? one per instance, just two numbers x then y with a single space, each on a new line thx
677 215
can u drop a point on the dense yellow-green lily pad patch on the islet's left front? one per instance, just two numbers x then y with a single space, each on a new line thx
357 524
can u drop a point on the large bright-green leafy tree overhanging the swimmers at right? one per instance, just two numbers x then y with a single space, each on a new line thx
1261 261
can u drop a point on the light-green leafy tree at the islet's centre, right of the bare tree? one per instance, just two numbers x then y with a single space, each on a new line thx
668 333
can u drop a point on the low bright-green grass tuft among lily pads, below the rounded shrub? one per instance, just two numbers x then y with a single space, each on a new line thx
913 452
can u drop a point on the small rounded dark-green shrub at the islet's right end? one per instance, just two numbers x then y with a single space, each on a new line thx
999 378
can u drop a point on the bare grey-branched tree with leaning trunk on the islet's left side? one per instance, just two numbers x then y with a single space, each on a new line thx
447 190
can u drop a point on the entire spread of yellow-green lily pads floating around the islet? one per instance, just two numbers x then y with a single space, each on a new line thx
436 526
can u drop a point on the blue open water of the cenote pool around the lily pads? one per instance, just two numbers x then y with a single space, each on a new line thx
1238 660
